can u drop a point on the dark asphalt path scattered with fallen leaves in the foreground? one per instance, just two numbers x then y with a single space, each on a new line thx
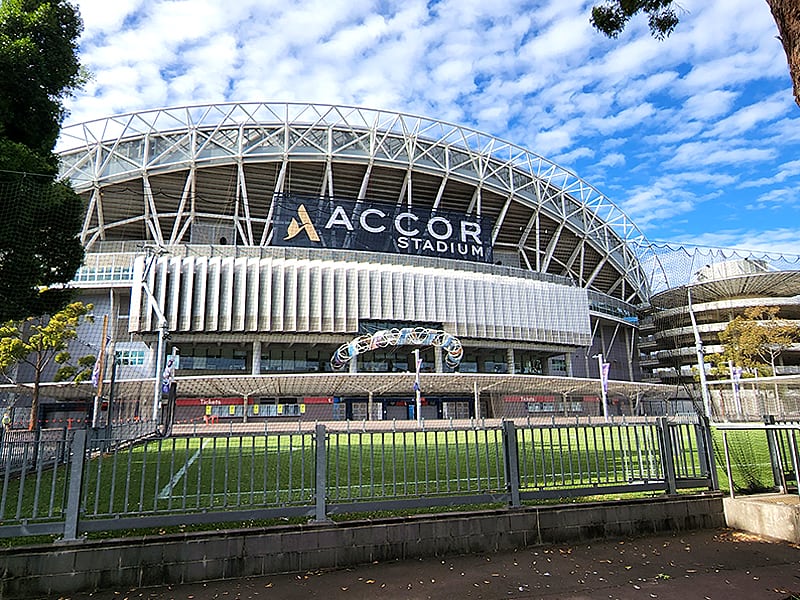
713 564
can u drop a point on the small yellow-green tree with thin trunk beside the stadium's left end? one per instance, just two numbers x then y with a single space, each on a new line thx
40 341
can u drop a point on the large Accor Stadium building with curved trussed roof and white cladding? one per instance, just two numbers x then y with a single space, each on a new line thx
253 243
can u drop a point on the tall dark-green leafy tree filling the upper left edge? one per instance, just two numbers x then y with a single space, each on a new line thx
41 218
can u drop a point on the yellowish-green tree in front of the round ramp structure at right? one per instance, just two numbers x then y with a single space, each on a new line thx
756 339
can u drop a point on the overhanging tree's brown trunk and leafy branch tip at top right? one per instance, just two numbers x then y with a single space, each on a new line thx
612 16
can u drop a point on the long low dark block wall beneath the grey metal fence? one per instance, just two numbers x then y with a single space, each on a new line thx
50 570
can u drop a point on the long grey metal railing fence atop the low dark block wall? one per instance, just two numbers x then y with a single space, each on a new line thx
81 482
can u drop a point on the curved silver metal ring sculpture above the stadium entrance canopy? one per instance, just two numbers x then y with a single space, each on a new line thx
407 336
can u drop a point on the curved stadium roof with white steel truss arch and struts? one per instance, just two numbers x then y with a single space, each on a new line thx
173 167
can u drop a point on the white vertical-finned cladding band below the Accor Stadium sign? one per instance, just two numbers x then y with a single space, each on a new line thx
279 295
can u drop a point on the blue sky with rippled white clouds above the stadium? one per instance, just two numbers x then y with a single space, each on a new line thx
696 138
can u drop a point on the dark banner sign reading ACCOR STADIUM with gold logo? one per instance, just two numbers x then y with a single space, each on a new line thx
380 227
